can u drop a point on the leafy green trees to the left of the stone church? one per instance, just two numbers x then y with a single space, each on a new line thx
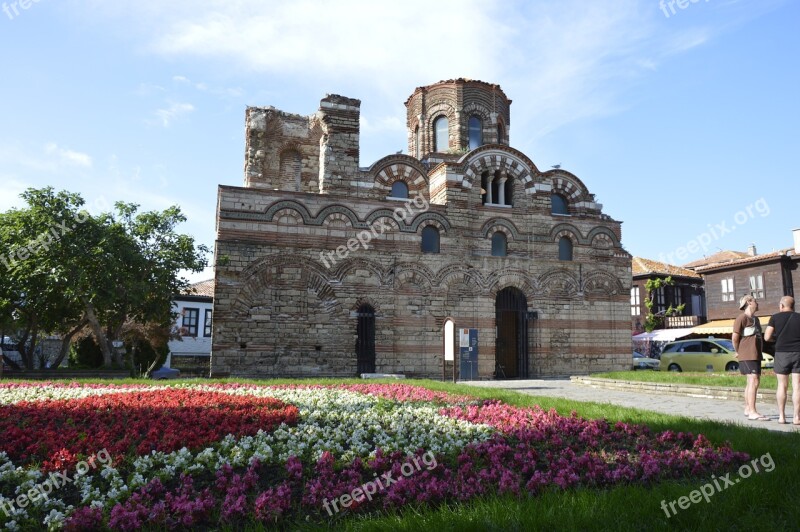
65 269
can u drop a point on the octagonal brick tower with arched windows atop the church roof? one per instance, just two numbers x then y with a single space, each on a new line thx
456 116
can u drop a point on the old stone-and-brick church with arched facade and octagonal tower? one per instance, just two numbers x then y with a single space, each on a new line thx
326 268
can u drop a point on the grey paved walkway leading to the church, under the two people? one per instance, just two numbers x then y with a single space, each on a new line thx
701 408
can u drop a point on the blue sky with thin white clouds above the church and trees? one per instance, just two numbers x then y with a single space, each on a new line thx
684 124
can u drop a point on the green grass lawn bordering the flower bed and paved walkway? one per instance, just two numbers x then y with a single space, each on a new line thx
761 502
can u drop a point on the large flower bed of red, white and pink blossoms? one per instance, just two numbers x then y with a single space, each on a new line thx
246 453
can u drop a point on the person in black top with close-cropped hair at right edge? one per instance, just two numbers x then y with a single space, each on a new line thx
785 326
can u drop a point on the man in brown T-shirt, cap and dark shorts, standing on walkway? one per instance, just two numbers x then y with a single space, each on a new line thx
747 343
